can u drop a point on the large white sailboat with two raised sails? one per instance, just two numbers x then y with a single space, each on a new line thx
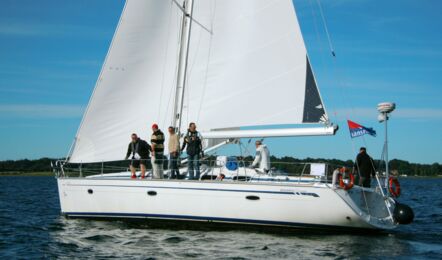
239 69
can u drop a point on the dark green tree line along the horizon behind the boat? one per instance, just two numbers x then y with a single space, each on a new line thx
285 163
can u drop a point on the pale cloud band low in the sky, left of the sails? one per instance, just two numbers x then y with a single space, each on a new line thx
41 111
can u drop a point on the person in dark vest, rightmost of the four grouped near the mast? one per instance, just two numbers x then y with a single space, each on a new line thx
194 148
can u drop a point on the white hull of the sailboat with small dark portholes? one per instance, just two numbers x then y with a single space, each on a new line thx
272 204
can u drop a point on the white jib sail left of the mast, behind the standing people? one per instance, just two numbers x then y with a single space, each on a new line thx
135 84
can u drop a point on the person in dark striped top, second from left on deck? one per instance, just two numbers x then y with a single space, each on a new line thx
157 141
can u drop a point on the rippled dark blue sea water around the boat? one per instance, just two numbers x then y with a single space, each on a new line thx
31 227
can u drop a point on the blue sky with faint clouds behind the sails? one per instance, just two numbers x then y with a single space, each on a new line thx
51 53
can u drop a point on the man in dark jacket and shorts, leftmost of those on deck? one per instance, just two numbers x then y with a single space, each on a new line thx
138 151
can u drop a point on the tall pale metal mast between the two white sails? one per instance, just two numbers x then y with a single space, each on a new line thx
187 9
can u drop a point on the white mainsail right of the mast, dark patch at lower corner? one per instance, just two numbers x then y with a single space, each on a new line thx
248 66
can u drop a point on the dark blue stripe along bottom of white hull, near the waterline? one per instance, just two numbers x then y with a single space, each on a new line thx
208 219
